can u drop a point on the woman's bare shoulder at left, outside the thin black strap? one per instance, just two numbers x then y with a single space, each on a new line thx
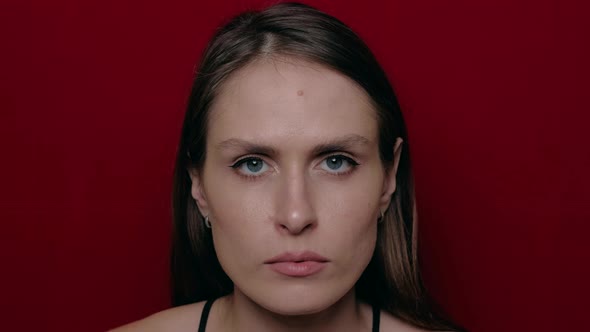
177 319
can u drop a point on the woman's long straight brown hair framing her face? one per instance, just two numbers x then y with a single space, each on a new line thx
392 279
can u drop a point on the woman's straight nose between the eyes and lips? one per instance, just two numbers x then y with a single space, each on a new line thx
294 206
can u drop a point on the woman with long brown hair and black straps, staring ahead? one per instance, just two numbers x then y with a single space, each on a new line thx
293 200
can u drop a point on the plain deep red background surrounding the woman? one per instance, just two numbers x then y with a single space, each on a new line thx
494 92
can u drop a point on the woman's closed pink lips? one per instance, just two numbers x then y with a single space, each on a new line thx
297 264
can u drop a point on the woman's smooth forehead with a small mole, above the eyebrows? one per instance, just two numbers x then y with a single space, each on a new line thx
281 101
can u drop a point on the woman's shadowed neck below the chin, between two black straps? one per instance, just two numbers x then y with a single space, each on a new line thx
239 313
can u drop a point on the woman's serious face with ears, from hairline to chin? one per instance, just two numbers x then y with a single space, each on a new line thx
293 184
